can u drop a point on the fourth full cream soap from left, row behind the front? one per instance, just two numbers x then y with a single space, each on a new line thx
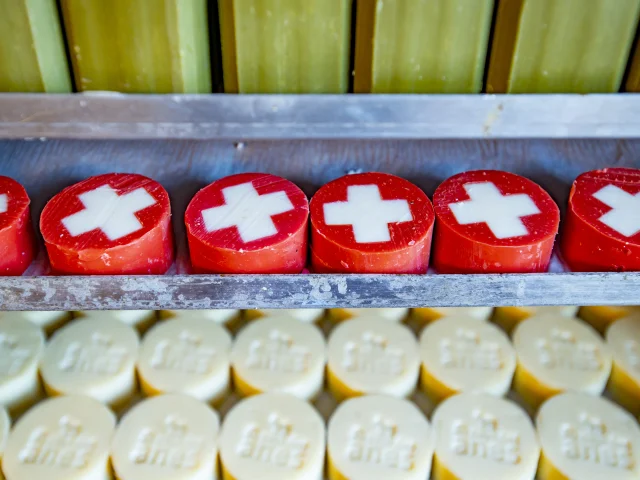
371 355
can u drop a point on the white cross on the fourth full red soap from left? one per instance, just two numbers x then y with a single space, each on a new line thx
501 213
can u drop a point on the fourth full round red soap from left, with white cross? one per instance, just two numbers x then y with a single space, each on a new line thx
489 221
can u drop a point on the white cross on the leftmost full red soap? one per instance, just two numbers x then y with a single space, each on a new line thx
106 210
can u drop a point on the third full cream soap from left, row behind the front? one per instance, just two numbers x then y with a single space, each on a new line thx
279 354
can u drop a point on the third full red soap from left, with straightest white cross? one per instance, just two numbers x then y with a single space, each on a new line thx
371 223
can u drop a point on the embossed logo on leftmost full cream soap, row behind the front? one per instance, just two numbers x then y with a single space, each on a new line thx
101 356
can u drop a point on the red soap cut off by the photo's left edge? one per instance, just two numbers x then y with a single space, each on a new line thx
17 243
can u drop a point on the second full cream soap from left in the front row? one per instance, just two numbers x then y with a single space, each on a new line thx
167 437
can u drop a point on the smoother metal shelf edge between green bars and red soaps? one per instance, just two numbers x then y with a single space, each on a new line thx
280 117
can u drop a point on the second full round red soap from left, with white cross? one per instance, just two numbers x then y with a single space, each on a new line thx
248 223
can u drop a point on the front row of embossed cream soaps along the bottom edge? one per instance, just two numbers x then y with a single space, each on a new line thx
280 437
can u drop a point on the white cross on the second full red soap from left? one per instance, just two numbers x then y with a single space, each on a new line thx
247 210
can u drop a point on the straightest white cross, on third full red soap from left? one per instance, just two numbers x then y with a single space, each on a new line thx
367 213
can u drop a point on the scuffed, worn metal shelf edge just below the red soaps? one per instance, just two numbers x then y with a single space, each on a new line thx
320 291
